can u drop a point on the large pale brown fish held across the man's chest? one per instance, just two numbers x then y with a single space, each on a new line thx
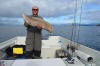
37 22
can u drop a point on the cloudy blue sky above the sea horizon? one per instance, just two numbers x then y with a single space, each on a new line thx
53 11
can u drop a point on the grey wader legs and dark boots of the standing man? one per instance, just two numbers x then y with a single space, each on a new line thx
33 43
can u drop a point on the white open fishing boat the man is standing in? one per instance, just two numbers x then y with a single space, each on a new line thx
54 52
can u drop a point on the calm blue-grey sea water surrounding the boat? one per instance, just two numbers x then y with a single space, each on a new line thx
89 35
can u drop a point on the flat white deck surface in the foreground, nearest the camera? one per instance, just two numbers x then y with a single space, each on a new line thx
41 62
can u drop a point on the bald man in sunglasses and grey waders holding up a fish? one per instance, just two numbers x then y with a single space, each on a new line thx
33 39
